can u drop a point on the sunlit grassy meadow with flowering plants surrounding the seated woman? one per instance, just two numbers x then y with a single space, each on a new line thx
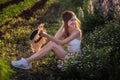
100 56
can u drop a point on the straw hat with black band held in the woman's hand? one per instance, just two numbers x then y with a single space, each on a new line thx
37 41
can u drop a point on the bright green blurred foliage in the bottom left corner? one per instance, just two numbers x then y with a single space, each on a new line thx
5 70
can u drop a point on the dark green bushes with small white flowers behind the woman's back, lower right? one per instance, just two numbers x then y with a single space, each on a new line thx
99 59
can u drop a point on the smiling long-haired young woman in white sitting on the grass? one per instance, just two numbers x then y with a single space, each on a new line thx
69 34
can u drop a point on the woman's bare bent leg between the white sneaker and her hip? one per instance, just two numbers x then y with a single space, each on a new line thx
58 50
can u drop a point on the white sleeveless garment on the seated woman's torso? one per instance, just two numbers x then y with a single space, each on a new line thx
74 45
